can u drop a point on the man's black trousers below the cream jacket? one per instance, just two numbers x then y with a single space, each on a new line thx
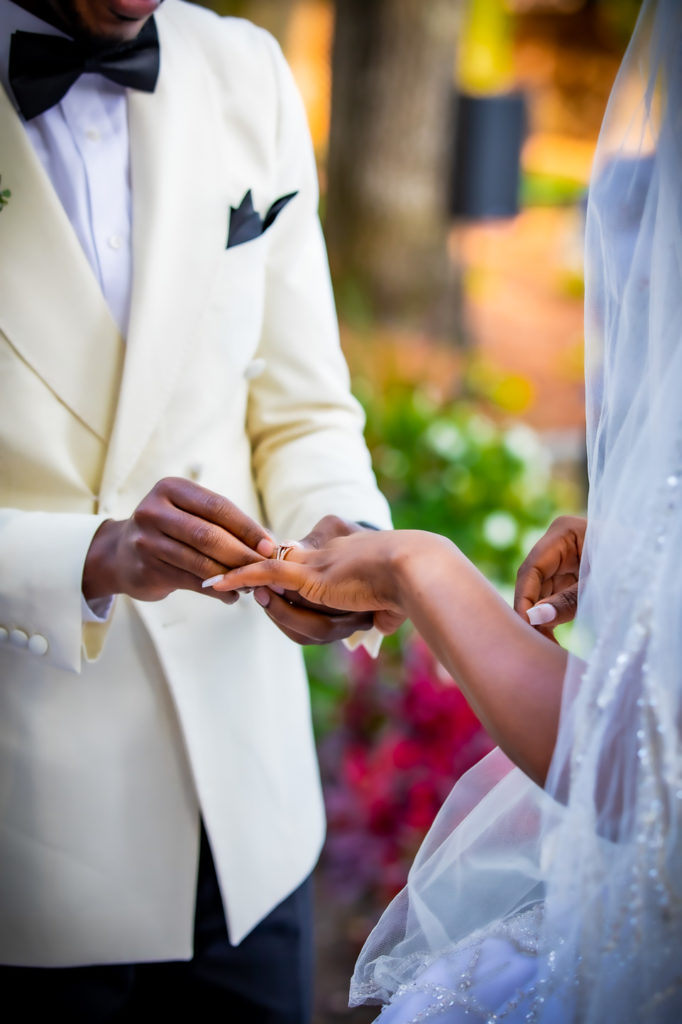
268 979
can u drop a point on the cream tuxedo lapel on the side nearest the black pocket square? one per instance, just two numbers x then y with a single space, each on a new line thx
179 235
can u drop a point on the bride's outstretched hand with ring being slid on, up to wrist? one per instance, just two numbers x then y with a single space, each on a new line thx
357 573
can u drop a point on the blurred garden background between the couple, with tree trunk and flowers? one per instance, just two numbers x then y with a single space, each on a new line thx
454 141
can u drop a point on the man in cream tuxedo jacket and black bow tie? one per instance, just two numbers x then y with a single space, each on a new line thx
167 336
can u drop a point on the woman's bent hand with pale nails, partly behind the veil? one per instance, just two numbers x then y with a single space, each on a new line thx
547 580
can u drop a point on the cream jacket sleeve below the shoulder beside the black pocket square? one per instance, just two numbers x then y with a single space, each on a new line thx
307 429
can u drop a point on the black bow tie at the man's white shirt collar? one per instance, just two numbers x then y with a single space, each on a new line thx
42 69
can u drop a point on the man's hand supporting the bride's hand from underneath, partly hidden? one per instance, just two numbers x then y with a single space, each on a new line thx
306 621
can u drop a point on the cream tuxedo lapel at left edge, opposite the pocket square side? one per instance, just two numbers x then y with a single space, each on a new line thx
52 308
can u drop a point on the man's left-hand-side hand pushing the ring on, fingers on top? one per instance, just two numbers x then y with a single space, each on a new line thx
180 534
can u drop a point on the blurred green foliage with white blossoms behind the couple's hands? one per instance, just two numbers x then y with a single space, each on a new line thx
451 468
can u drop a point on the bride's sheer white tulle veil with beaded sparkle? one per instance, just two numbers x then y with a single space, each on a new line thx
586 877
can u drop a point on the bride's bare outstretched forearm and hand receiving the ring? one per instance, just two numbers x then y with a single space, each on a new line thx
511 675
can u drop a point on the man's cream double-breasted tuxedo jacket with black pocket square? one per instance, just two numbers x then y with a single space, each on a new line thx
113 738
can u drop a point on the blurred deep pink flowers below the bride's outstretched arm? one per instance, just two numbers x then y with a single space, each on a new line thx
390 765
